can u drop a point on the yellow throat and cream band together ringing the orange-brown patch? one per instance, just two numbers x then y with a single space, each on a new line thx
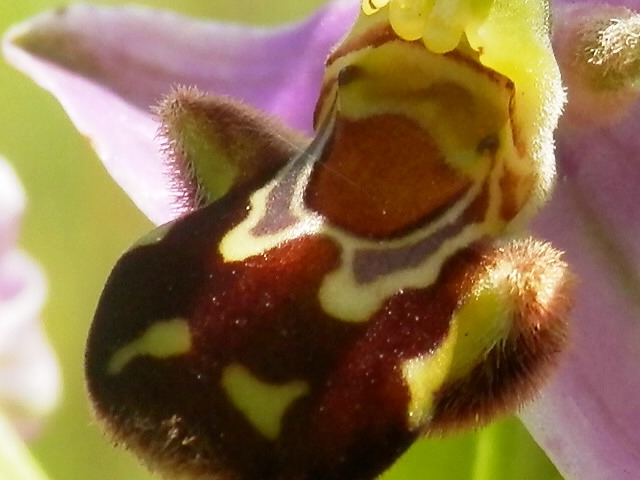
420 96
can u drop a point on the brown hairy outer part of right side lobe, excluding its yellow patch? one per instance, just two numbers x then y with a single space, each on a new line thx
542 297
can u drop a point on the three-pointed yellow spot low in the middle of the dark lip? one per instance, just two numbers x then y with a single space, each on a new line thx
263 404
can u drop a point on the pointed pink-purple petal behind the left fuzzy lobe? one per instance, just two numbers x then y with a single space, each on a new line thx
108 65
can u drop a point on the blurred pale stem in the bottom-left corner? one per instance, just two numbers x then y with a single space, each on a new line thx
16 462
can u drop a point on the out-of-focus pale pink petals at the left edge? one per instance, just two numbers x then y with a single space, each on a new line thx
29 374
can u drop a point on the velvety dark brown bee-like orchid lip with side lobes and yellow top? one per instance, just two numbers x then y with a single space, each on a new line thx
328 301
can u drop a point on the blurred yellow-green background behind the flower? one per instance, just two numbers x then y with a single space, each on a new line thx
77 224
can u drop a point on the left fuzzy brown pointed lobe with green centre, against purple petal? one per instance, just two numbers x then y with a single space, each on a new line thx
224 131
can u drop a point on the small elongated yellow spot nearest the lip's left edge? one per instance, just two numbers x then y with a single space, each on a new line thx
161 340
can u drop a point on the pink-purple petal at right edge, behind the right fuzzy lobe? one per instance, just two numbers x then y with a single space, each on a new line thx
588 420
